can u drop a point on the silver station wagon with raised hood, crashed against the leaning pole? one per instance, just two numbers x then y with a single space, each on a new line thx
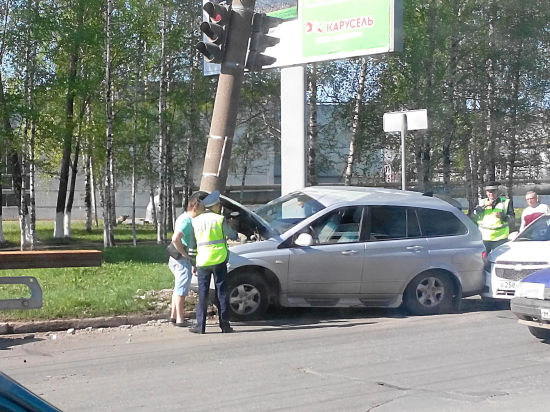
353 247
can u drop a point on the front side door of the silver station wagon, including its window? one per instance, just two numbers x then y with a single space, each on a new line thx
333 265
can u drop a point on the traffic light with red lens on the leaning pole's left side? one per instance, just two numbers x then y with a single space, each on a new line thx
215 30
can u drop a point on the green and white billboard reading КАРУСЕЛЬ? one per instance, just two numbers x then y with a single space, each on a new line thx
338 29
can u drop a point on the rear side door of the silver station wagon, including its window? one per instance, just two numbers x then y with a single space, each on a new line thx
395 250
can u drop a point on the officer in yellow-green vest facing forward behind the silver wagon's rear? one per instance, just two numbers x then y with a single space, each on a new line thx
494 216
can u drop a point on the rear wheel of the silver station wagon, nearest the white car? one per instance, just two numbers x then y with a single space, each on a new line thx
429 293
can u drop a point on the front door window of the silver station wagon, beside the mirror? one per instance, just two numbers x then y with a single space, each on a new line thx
338 226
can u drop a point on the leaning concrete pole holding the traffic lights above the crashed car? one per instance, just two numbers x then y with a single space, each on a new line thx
228 94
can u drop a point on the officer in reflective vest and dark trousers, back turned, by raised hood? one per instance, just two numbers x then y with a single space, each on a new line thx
212 253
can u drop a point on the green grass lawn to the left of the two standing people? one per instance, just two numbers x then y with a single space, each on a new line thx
115 288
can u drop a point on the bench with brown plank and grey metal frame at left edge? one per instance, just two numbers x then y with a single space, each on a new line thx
36 259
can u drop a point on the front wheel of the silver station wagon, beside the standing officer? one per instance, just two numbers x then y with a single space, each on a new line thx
248 296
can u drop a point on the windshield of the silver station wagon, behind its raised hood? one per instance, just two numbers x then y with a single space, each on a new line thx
286 211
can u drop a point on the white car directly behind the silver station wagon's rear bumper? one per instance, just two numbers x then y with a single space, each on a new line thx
509 263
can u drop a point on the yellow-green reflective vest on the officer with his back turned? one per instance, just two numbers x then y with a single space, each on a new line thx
211 244
